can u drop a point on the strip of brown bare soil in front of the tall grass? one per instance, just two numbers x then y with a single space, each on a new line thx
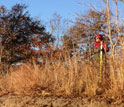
51 101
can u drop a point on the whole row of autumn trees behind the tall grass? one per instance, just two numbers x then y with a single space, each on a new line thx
23 38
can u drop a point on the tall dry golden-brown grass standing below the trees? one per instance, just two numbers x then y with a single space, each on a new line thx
69 78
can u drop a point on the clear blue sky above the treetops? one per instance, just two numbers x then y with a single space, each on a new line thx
45 8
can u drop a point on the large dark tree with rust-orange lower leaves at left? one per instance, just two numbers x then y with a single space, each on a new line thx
21 36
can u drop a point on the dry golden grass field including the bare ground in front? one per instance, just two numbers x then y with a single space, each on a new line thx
63 84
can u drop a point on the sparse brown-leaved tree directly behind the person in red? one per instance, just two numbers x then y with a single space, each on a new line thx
80 36
